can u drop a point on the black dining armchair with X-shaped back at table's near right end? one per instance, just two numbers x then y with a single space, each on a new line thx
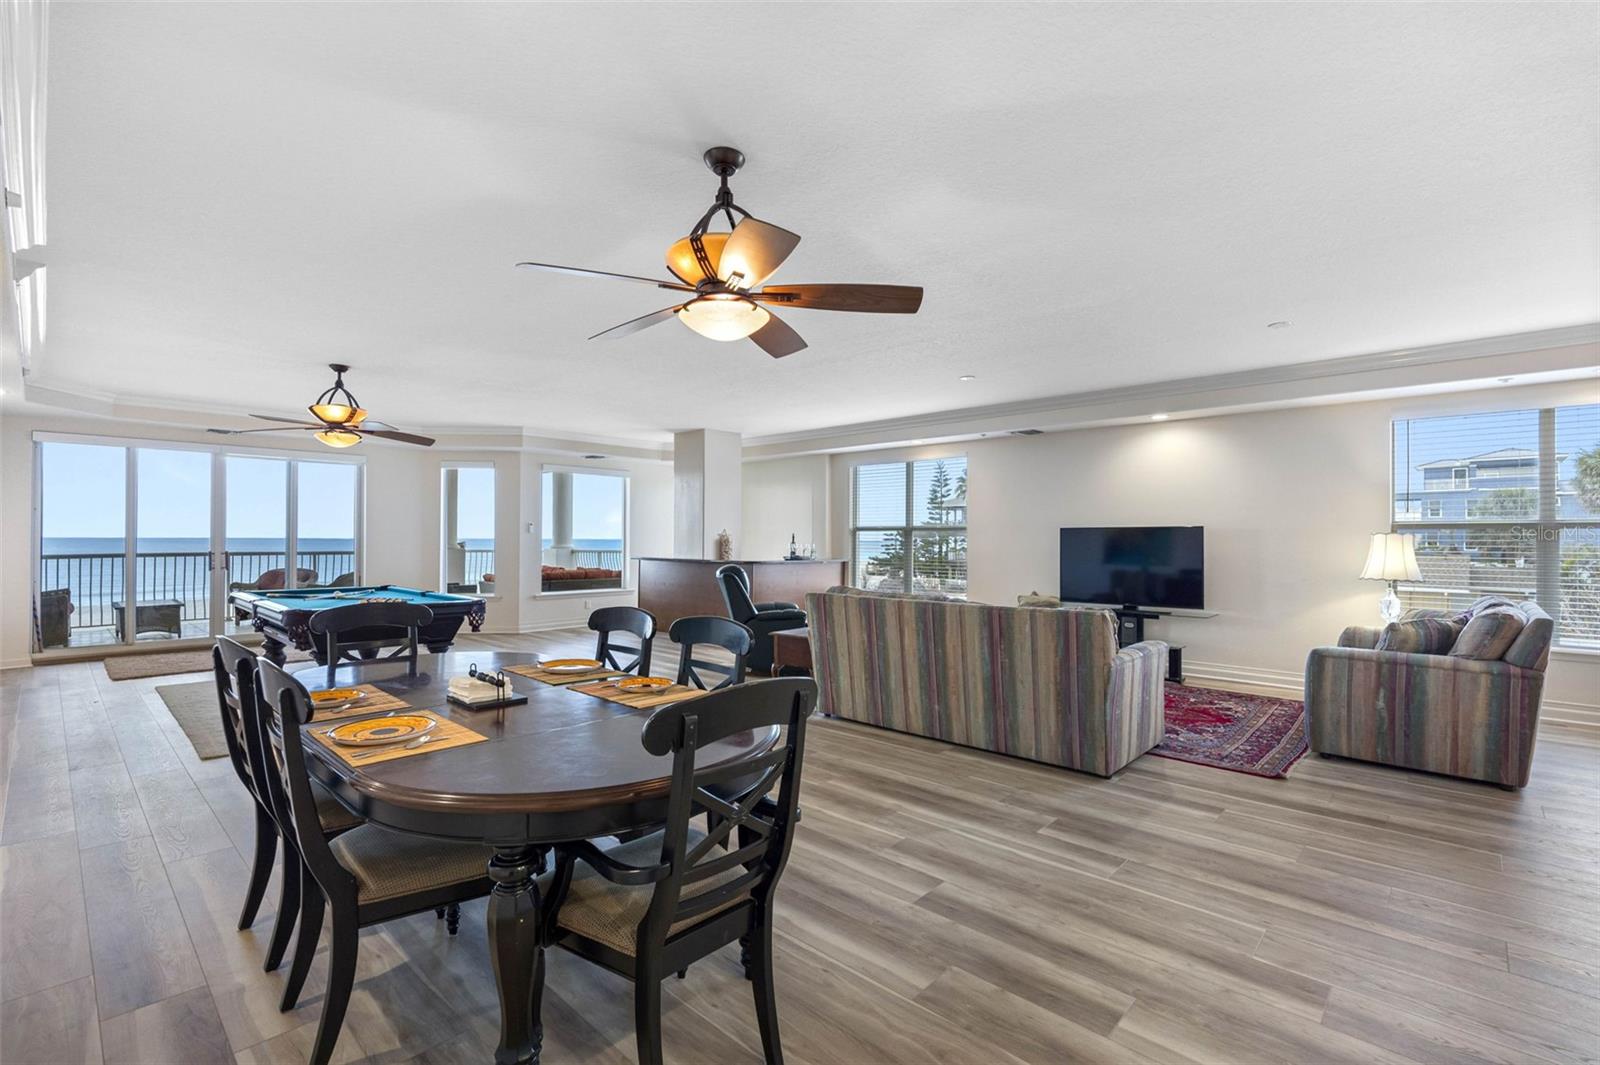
665 901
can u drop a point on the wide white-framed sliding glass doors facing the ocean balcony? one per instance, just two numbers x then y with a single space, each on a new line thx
143 543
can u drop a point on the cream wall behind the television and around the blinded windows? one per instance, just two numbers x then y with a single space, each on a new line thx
1289 500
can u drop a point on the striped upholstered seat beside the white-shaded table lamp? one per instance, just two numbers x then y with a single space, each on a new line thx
1462 717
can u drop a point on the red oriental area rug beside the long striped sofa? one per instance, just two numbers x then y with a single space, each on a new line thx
1230 730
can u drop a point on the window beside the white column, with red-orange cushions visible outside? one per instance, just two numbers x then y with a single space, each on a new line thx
585 530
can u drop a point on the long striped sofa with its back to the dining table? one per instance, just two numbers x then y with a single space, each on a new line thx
1047 685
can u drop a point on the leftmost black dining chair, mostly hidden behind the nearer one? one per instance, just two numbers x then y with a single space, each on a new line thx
234 666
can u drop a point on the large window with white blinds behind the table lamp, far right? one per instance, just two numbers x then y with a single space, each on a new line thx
1530 525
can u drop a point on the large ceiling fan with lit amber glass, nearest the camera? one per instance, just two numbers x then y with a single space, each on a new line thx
726 277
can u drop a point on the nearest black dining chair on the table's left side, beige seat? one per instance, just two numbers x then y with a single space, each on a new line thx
366 876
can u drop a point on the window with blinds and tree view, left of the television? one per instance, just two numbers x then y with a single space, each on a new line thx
908 525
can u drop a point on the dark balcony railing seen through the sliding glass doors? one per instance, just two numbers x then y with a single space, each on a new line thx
97 581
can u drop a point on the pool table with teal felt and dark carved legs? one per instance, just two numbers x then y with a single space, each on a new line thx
284 616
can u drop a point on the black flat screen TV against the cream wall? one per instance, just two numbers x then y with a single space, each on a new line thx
1158 567
